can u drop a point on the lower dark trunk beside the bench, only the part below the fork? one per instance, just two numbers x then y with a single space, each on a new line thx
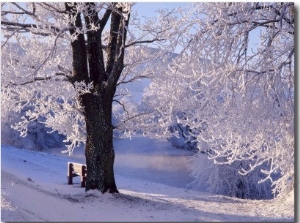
99 151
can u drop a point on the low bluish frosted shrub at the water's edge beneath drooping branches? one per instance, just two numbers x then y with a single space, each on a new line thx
225 179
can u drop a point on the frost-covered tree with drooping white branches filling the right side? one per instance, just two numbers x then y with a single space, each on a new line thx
233 86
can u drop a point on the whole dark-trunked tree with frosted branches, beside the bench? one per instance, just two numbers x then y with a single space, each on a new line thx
64 61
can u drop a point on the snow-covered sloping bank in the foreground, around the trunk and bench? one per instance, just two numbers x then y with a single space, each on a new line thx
34 189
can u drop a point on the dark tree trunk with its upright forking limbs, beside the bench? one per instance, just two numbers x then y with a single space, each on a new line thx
89 67
